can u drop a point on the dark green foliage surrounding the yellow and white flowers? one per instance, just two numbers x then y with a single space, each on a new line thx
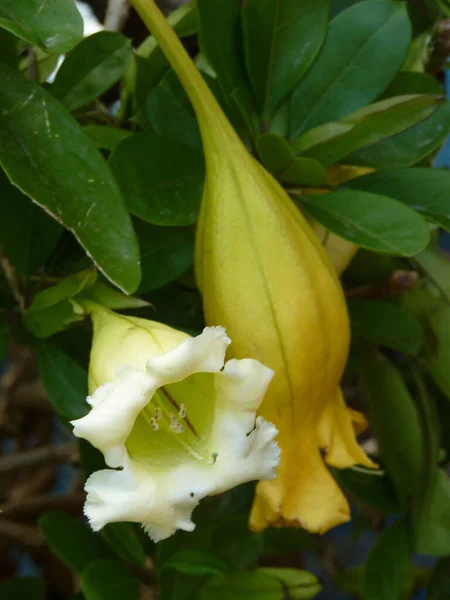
128 108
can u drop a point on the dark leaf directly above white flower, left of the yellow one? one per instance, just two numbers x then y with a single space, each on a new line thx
166 254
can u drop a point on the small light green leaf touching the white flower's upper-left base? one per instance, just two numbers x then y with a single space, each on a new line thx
55 308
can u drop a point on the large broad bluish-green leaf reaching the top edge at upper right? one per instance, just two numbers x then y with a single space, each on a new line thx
339 83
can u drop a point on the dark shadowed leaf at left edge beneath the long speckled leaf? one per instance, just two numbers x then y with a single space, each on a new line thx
21 219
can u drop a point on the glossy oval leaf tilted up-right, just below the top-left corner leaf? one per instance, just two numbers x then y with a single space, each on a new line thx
91 68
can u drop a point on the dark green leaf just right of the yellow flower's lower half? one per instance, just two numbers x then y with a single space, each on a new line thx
385 324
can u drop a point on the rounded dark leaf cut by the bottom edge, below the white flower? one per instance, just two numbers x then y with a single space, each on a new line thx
109 580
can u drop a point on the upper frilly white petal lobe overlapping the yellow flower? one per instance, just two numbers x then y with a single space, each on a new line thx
202 354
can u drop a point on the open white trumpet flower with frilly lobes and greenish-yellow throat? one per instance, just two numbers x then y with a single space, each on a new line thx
181 428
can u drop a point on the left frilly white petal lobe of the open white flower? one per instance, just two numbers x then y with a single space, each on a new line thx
115 407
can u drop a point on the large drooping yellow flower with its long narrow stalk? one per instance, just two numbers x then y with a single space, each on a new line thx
265 276
